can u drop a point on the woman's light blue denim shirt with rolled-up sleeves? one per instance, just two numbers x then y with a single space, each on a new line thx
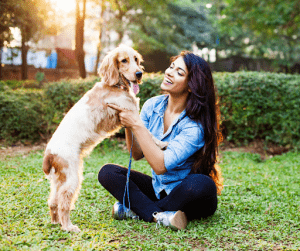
185 138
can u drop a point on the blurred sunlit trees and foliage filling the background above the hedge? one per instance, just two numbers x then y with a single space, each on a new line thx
265 31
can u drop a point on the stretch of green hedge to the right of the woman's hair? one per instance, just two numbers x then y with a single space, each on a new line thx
260 106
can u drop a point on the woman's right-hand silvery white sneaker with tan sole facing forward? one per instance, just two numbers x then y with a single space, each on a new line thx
175 220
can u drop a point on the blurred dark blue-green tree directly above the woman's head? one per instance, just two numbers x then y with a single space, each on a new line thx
172 28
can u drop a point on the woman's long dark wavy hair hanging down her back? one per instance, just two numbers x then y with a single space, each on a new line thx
203 108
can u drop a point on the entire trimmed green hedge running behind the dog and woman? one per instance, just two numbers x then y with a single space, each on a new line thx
253 106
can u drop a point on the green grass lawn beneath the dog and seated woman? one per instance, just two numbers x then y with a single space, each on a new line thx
259 208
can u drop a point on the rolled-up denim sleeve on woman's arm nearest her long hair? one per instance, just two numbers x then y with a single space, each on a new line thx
188 141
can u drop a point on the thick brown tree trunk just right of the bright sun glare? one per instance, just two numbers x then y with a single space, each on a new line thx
79 38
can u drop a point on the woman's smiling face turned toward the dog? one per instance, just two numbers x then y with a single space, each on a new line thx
176 78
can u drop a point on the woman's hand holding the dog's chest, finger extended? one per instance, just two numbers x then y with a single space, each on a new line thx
128 118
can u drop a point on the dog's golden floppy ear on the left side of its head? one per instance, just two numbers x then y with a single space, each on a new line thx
108 69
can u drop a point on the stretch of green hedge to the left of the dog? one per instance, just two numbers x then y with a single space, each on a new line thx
29 114
